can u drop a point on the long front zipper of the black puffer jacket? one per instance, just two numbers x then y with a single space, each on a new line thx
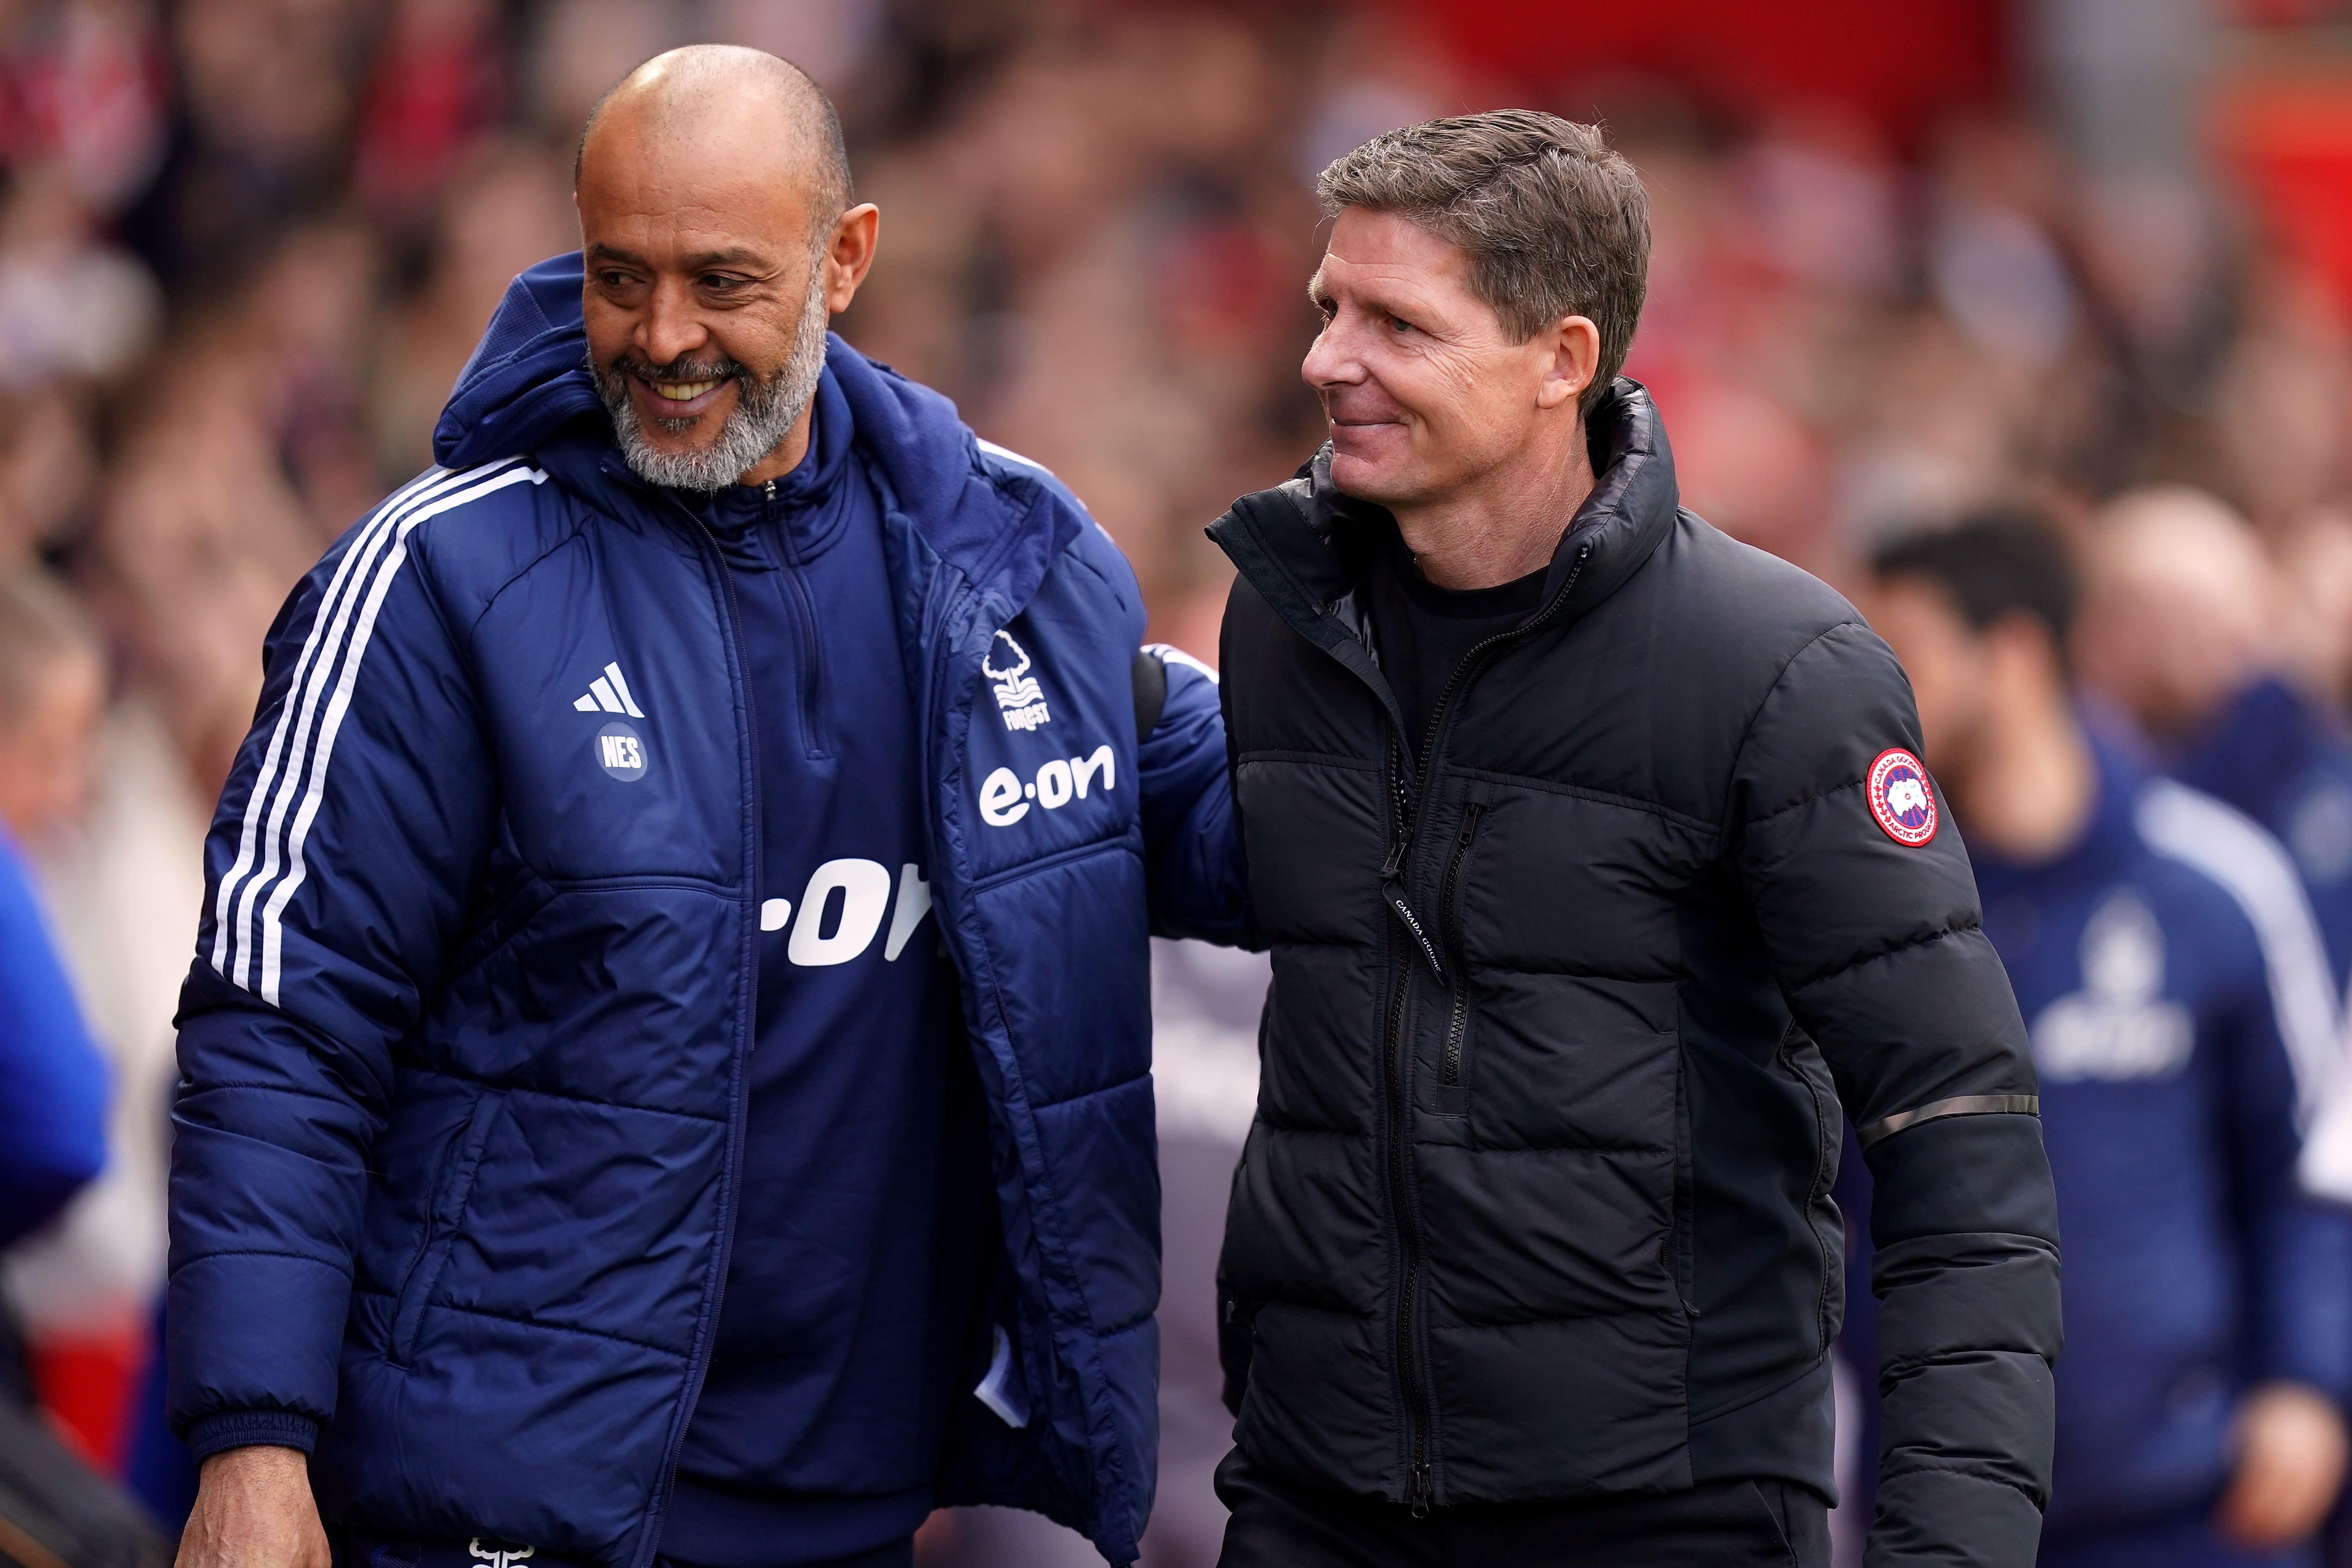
1415 805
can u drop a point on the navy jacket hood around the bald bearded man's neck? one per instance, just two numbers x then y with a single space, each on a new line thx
528 387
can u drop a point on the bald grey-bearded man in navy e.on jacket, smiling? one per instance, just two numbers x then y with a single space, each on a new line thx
667 1059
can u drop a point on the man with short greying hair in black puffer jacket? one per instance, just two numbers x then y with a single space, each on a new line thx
1603 880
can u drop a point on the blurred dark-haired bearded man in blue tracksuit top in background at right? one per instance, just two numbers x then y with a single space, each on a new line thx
2184 1028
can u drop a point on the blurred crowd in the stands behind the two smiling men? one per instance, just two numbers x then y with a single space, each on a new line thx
246 248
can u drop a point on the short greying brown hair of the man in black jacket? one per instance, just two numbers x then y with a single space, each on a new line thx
1556 222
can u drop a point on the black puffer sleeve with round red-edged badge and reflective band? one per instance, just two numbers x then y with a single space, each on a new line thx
1883 958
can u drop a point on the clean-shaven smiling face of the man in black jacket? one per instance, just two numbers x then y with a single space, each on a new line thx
1424 389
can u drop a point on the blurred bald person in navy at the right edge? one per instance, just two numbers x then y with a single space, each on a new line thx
2181 626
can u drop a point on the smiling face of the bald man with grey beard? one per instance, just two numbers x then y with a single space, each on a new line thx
709 279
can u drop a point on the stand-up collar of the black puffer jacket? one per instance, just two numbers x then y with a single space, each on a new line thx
1304 544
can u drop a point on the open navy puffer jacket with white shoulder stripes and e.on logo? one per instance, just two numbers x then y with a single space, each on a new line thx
465 1043
